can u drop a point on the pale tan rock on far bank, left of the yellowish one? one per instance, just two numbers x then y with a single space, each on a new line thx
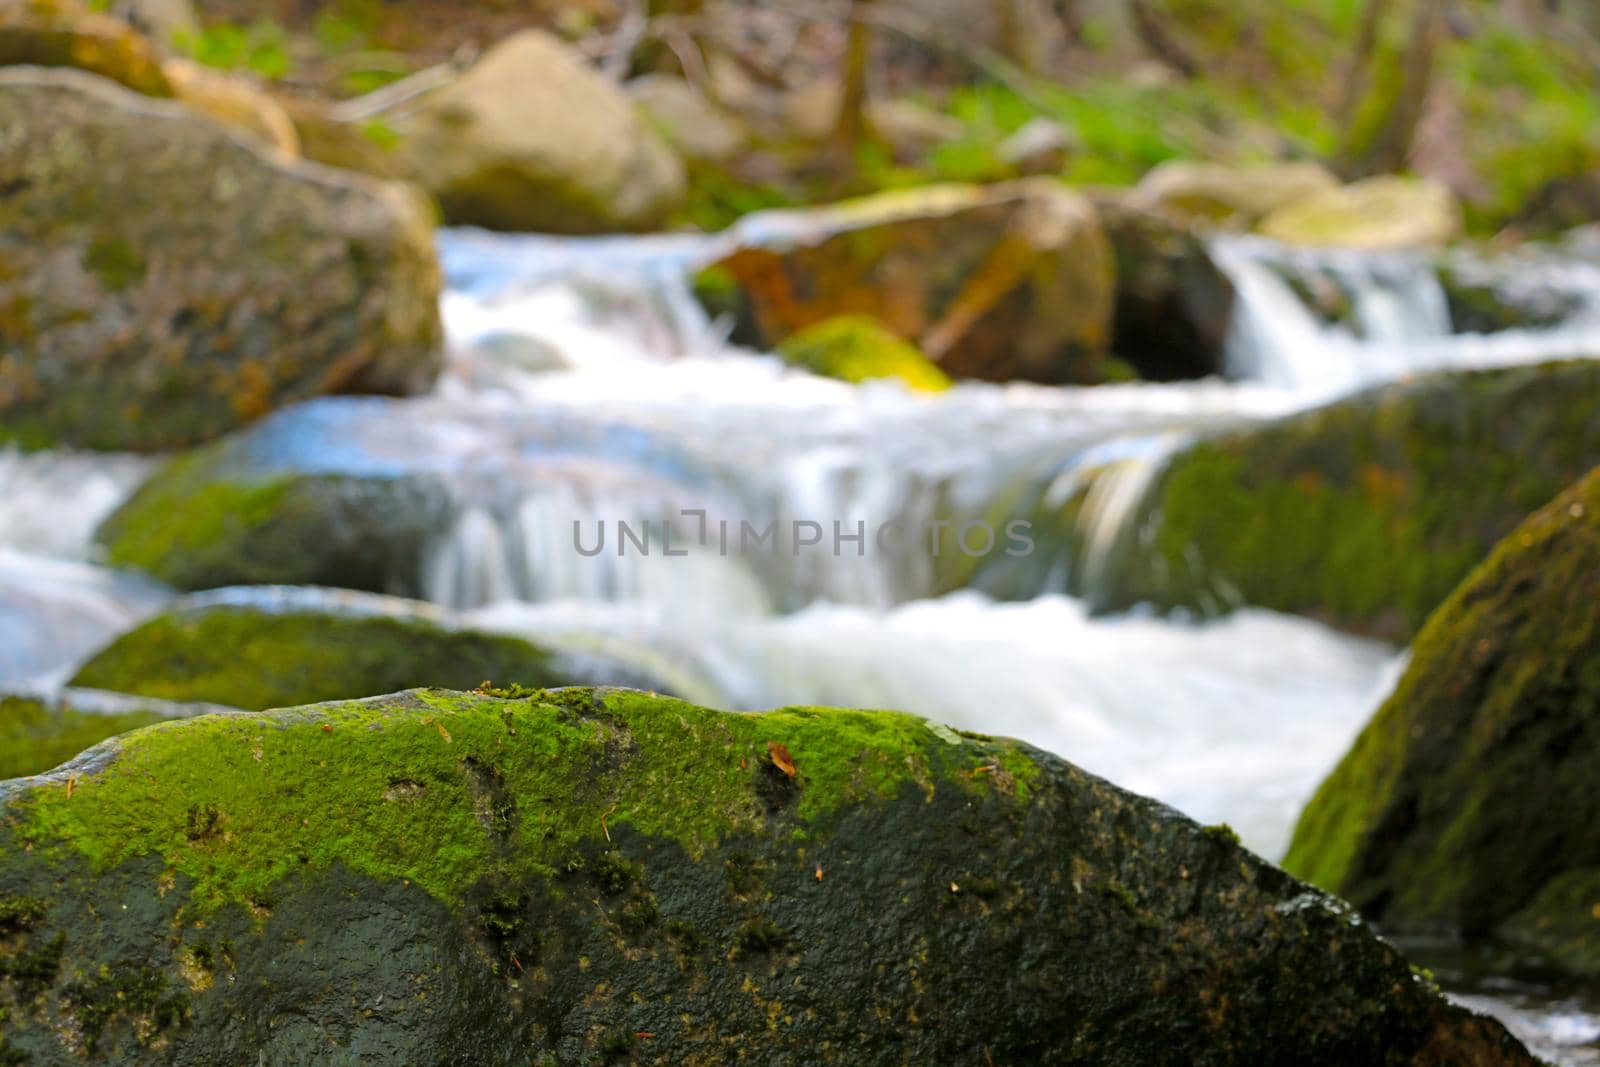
1233 198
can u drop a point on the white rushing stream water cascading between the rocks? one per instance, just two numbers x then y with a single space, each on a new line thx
590 394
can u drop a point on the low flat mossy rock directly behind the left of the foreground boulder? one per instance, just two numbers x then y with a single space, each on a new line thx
282 647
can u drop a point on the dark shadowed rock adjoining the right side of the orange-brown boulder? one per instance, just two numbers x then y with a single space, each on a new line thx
1174 303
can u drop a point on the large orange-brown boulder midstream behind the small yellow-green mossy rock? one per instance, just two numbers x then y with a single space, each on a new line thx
1004 282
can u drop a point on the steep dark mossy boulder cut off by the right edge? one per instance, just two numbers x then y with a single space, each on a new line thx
1468 804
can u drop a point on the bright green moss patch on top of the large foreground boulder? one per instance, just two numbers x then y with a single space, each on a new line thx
279 794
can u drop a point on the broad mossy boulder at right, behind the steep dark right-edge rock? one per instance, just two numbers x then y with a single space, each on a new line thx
1367 513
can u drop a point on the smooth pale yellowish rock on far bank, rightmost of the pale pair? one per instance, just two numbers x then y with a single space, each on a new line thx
1380 214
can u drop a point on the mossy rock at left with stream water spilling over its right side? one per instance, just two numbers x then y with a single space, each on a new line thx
370 495
